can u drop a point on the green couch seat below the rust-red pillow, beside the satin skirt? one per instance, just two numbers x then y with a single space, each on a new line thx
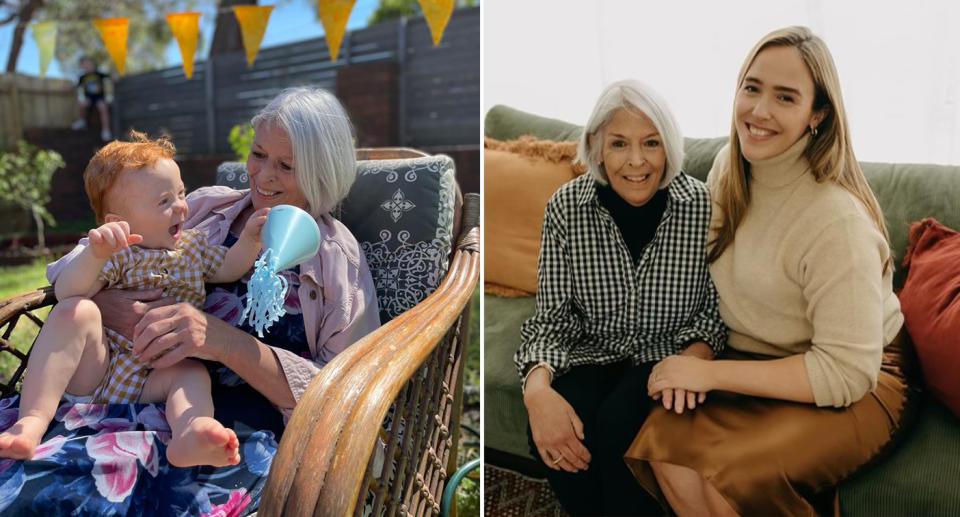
920 477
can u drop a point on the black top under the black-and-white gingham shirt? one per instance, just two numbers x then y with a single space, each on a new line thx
637 224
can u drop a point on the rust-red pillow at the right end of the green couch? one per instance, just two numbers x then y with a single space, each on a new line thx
930 300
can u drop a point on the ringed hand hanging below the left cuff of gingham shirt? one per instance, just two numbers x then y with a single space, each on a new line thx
557 430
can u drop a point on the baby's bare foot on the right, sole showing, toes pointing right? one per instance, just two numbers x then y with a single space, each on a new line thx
204 442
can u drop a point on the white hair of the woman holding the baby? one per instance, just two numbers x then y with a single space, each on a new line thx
322 138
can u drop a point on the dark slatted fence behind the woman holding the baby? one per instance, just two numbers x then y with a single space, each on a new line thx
437 97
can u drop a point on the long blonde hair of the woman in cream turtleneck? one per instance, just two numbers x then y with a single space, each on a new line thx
829 153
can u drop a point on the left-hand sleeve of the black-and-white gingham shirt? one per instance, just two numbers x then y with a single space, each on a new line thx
548 336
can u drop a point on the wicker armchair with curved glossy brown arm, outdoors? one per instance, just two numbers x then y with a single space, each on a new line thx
329 461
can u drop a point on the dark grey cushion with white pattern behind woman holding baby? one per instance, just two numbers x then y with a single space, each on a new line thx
401 212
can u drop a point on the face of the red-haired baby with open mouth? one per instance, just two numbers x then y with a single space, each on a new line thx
152 200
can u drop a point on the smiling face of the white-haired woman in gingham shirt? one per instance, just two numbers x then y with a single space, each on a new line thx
632 155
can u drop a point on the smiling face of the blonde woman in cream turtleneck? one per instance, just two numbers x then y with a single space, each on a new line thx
774 106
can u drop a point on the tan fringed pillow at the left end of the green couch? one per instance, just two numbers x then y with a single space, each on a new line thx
519 176
